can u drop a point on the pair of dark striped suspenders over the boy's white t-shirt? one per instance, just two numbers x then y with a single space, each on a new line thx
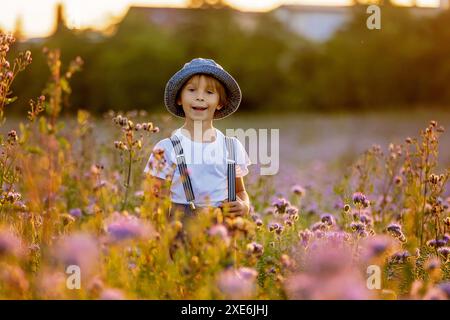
184 175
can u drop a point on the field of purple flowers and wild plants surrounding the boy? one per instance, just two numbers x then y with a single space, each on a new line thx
74 200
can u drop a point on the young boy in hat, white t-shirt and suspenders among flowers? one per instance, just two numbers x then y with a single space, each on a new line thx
205 168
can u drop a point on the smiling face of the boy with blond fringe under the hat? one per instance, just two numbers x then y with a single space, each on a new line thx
199 98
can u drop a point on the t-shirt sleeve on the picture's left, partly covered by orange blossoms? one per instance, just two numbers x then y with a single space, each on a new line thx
161 163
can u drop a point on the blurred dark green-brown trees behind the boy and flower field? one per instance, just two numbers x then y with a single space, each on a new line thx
404 65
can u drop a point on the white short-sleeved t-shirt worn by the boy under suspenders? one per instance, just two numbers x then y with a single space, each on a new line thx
206 164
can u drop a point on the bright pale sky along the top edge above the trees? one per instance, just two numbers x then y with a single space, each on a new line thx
37 16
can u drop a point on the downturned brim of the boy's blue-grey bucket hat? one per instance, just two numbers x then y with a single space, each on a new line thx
177 81
